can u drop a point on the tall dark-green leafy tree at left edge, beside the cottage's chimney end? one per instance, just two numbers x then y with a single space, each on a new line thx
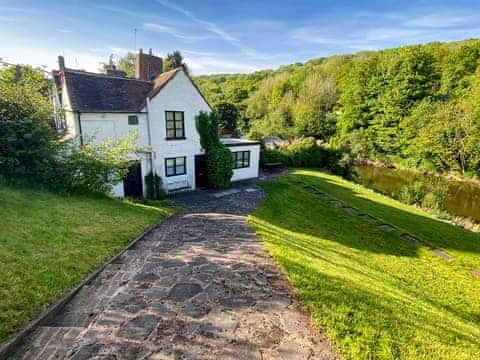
28 139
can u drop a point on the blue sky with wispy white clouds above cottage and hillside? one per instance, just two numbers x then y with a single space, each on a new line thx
224 36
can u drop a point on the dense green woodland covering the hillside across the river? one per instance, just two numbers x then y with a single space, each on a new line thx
416 106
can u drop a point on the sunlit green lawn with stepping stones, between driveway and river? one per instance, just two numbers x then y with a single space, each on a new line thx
375 295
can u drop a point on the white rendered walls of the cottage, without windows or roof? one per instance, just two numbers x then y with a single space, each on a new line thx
179 94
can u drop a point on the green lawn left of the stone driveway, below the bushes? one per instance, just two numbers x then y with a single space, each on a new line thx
48 243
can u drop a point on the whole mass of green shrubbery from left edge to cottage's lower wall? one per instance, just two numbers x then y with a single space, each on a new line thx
33 152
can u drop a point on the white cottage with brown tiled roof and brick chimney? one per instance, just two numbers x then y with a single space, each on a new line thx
161 108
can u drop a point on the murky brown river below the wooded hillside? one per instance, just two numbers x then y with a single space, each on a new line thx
463 198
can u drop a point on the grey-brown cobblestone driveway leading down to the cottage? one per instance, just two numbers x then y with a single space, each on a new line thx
200 286
